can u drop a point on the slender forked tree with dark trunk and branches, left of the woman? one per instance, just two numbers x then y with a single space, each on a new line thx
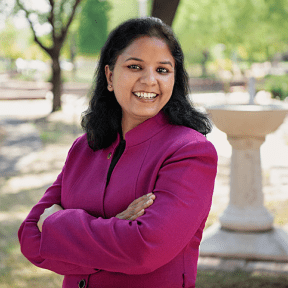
59 16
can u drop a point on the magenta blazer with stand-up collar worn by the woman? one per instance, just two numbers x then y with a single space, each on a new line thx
92 248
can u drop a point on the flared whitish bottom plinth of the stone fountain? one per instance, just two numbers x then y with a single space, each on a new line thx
269 245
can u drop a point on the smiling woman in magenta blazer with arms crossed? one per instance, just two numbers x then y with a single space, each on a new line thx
142 136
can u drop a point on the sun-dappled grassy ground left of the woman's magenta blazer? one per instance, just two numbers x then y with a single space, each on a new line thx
33 167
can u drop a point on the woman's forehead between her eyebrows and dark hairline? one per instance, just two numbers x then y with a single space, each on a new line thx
149 48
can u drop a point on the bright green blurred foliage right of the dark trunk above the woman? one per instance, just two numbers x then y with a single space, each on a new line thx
257 26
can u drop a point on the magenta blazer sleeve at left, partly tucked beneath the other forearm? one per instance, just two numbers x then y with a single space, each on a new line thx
30 236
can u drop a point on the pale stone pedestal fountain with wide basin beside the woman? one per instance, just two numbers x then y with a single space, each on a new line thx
246 227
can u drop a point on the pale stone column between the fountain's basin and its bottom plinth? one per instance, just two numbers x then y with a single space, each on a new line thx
246 211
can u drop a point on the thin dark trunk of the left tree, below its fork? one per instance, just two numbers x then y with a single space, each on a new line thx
56 83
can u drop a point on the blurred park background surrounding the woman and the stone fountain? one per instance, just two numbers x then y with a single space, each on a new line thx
48 55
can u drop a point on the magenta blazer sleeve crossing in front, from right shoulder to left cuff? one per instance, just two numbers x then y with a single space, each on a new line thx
183 190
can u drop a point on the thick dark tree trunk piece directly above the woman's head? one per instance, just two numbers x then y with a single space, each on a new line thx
165 10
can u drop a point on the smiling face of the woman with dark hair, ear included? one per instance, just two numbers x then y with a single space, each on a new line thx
142 79
